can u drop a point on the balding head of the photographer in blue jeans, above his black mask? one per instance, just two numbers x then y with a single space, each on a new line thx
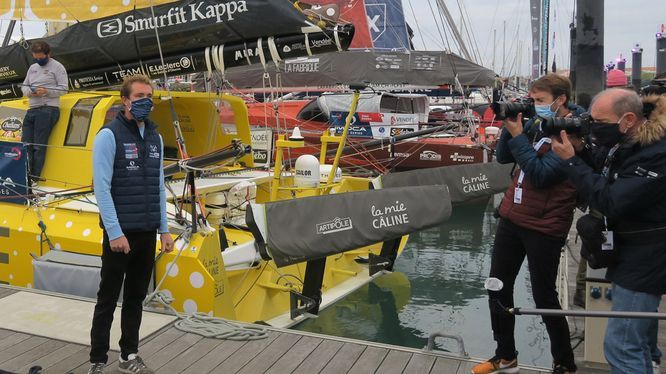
615 105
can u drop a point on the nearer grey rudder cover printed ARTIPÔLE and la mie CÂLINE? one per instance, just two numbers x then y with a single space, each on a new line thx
315 227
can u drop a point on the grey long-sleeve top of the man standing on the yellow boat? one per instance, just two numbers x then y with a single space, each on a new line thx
52 77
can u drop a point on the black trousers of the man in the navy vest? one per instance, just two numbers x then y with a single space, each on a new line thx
135 269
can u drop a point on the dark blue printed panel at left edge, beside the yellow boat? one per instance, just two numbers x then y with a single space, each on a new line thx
13 173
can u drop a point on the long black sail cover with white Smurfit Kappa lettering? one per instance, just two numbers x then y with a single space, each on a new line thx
100 52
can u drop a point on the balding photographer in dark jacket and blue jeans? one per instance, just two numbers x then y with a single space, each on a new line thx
631 194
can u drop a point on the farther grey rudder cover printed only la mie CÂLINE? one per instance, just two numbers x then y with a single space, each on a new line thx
465 182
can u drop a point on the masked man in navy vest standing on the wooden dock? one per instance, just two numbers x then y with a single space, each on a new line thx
129 188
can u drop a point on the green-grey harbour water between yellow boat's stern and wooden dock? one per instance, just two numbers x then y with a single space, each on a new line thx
437 285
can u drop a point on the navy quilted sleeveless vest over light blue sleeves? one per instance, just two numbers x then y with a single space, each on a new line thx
135 185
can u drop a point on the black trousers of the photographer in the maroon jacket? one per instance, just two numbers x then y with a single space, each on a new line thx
512 244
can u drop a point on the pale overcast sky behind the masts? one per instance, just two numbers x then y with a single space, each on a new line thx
626 23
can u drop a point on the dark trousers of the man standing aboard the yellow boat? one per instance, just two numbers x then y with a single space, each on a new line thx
37 126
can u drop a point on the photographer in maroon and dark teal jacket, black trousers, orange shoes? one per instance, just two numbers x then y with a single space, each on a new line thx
535 217
